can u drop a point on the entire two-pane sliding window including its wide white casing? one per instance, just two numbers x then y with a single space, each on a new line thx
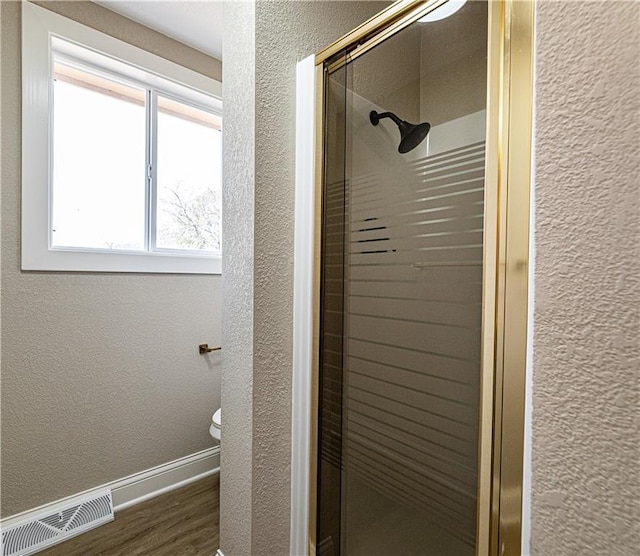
121 155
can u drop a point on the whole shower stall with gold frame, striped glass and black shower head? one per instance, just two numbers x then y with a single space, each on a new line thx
413 285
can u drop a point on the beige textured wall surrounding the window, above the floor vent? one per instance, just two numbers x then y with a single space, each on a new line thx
101 377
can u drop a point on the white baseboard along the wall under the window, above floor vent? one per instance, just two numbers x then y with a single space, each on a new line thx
139 487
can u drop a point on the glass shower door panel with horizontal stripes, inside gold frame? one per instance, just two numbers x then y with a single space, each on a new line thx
401 292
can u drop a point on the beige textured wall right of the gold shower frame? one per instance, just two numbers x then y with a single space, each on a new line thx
586 458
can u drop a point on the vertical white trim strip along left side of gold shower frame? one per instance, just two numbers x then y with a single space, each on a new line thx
303 305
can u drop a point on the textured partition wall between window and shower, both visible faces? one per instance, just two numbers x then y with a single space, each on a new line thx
259 396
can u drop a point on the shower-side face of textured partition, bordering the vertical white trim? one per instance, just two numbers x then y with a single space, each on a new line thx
286 32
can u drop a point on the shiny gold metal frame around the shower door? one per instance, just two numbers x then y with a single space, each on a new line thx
505 253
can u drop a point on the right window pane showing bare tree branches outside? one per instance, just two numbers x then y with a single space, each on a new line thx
189 178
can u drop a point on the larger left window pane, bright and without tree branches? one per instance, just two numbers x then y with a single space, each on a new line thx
98 162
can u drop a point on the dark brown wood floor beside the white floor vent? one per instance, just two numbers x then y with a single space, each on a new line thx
184 521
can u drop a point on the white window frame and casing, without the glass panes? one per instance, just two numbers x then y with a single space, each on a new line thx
40 28
